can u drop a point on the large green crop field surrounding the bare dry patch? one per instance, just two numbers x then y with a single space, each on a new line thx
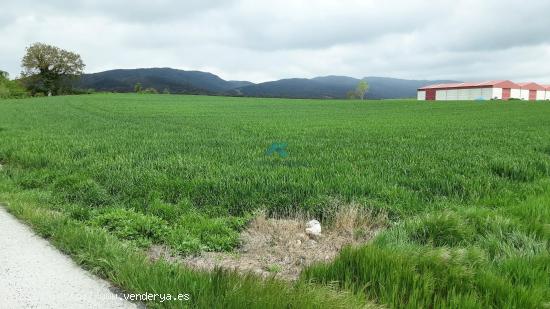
465 184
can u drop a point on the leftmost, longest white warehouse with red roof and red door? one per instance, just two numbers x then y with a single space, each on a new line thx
497 89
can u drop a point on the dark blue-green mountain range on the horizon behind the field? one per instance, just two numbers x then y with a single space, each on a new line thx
196 82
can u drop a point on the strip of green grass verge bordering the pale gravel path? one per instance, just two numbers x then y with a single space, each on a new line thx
128 268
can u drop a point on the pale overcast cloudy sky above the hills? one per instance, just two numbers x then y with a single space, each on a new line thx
257 40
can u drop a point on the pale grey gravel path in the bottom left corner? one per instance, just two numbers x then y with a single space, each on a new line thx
33 274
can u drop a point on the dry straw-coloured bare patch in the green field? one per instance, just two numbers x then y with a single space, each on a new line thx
280 247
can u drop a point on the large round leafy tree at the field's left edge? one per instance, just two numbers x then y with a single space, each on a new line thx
50 69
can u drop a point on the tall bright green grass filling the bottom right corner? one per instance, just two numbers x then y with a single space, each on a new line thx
473 257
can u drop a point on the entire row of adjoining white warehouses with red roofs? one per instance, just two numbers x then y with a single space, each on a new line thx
500 90
